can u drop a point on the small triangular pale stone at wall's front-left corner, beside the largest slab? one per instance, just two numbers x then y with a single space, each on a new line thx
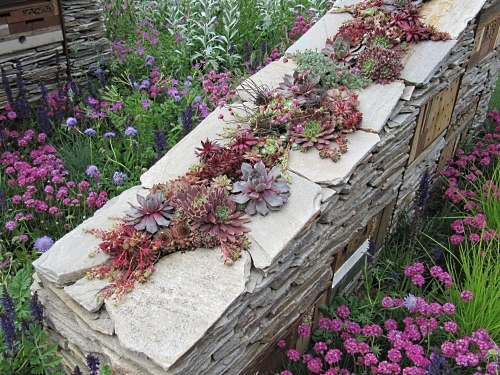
85 292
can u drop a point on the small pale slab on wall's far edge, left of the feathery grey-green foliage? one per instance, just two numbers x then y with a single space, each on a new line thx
268 78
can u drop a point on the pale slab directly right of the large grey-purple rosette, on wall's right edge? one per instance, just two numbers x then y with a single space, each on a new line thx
271 234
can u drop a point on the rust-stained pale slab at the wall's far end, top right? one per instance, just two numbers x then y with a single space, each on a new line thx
458 14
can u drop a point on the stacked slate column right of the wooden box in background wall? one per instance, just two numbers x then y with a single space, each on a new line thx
86 43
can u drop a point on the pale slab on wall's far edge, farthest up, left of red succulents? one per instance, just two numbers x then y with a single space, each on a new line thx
315 37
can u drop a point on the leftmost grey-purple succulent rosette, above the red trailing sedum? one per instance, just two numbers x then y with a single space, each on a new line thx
151 213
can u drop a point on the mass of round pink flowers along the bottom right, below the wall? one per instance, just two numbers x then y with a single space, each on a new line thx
406 353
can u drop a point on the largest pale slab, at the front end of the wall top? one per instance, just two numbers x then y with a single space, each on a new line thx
191 292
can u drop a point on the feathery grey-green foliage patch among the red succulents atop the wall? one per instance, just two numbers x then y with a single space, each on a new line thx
332 74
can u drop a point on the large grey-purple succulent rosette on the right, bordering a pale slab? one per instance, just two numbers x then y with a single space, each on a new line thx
260 190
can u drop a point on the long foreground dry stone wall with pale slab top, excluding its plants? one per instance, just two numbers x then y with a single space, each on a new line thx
202 317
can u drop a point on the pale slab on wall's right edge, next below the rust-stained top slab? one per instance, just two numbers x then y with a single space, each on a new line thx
424 59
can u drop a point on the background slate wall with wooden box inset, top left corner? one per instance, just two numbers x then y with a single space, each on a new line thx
34 32
